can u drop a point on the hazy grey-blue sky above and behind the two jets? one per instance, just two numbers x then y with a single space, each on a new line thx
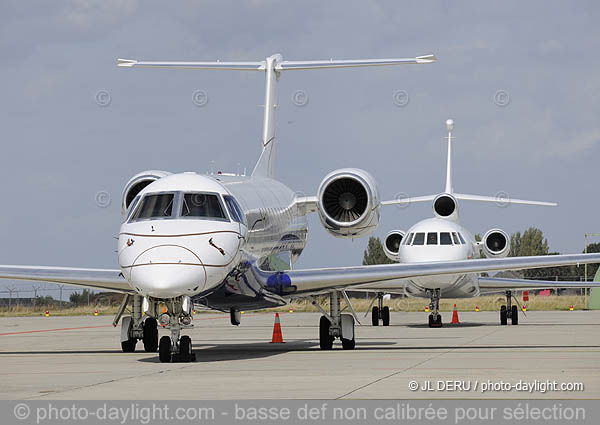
520 79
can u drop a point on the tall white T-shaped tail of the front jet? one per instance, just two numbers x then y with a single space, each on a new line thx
273 66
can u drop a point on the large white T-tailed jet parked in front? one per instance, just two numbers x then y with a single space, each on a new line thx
228 242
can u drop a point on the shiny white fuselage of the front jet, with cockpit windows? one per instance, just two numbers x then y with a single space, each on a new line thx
189 234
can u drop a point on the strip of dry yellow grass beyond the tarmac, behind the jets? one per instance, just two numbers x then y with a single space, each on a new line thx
487 303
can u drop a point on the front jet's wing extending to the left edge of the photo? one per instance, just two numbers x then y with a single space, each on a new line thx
106 279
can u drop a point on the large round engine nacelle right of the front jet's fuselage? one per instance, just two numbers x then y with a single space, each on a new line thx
348 203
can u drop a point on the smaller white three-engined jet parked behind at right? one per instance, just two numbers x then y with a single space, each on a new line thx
443 239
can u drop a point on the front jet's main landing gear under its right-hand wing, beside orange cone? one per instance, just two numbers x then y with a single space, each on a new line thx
335 325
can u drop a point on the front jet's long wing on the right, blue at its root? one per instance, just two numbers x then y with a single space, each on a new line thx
312 281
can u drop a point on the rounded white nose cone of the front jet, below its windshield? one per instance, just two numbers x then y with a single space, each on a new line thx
168 271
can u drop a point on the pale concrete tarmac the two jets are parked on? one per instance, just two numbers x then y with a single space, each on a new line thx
80 358
